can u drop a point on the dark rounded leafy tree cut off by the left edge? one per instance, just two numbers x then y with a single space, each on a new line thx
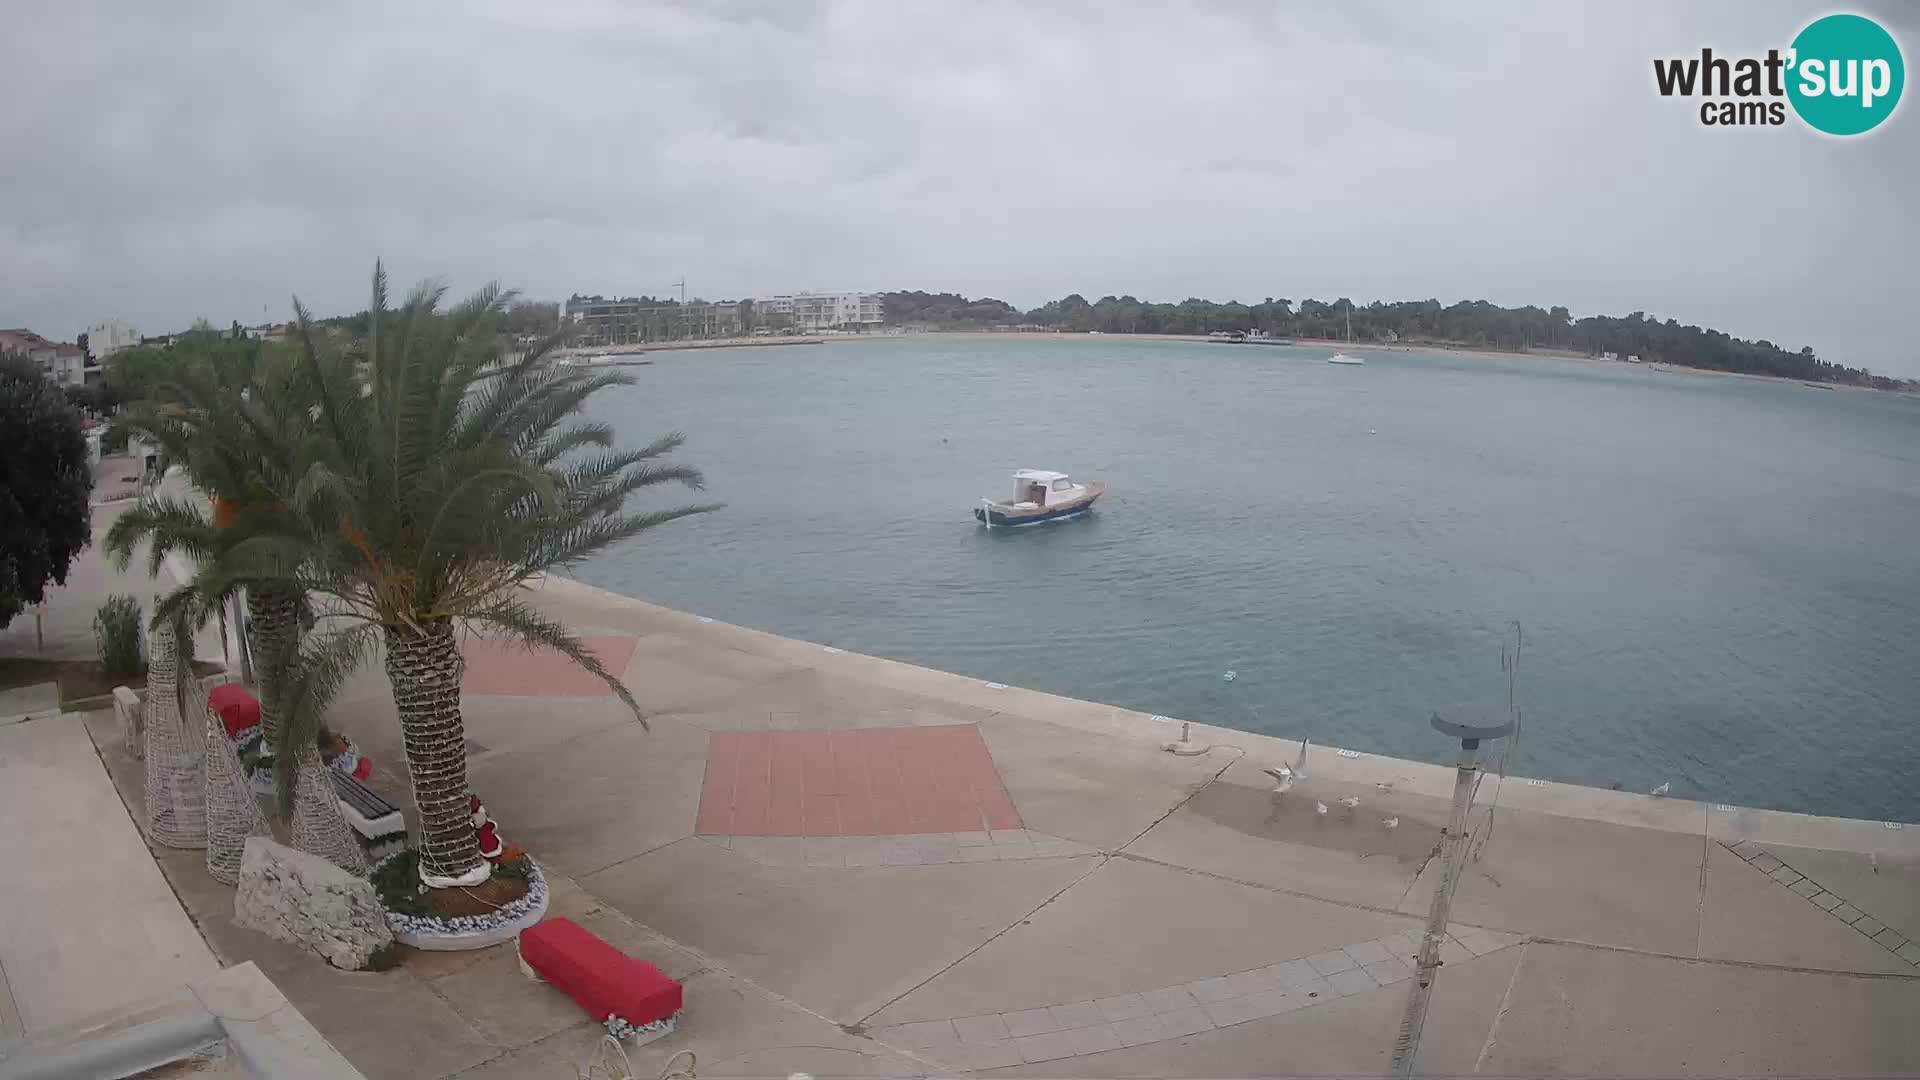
45 485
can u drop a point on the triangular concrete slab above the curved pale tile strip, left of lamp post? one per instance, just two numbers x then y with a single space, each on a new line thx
1134 927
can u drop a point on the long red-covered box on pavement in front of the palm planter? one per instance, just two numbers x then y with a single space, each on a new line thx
602 979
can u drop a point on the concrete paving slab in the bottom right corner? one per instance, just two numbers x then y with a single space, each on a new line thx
1610 1014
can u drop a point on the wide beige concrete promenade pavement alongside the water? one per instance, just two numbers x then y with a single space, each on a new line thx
865 868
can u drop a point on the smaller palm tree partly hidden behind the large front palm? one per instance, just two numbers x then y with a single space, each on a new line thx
233 412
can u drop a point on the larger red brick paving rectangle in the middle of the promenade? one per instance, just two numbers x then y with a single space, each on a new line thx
853 783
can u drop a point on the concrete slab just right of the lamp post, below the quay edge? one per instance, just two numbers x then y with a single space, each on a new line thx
1583 881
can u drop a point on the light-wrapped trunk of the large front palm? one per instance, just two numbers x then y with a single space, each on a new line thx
425 670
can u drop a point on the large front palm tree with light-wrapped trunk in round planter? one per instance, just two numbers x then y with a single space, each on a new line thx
441 474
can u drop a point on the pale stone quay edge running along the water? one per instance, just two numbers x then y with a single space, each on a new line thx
1717 822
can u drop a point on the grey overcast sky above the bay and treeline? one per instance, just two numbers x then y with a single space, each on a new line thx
178 160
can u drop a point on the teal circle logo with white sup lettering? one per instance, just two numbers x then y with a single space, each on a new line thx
1846 76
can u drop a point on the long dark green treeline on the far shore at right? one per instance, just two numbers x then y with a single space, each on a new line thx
1468 324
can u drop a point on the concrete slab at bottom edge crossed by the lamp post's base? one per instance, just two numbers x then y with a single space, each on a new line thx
1351 1037
